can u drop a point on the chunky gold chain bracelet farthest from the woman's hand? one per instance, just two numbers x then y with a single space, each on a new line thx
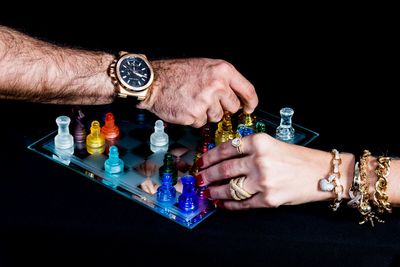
380 196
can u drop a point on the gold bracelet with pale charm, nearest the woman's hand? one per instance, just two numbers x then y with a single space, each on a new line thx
332 182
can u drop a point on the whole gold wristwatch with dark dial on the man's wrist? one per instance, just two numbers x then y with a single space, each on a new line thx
132 75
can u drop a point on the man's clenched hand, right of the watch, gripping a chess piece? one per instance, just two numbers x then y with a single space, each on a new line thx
194 91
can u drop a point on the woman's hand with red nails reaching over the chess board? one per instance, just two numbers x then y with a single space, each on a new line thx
276 173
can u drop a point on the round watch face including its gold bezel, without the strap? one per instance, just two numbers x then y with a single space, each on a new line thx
134 72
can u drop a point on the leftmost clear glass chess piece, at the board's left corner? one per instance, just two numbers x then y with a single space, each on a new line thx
64 142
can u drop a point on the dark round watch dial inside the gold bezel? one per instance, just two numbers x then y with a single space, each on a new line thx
134 71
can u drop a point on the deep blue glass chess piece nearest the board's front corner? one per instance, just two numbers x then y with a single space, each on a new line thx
188 201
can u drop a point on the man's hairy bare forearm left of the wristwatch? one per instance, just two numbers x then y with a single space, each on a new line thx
37 71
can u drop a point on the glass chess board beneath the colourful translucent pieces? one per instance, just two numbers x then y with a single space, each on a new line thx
140 178
